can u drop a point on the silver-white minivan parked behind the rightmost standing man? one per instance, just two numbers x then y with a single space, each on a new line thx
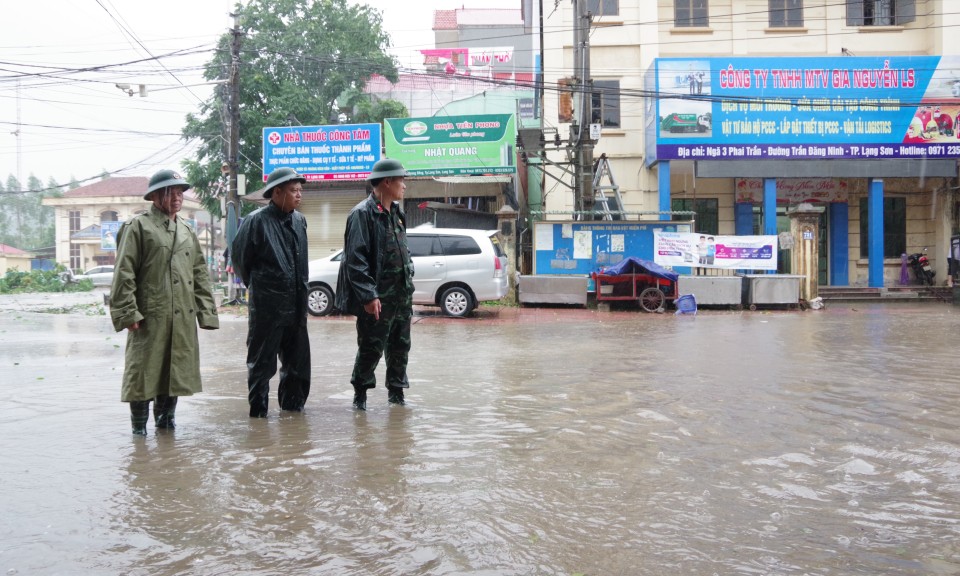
455 269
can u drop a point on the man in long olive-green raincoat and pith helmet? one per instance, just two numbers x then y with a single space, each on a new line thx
161 291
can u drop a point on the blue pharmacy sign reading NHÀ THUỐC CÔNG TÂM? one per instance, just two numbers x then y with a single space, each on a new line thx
336 152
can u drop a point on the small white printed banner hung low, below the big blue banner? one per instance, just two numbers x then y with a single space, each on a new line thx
712 251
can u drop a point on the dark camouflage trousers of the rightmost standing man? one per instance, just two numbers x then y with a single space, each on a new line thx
389 336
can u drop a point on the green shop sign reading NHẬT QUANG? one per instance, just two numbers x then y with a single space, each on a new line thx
453 145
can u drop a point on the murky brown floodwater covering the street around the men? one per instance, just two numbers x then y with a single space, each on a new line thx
538 442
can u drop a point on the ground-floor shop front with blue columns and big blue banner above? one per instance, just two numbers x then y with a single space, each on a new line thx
871 141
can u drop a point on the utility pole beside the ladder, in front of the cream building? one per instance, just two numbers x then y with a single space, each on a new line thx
580 130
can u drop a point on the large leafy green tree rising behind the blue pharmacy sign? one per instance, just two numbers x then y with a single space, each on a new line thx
296 58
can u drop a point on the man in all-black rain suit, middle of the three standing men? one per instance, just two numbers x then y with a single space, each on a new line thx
270 256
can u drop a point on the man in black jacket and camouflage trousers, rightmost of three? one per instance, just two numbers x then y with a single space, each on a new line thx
376 283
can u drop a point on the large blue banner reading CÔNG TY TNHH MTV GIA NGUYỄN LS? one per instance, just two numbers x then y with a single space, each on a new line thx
797 108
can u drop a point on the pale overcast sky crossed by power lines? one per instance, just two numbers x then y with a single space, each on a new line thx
79 125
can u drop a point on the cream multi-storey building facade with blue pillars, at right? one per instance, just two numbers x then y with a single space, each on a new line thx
914 198
